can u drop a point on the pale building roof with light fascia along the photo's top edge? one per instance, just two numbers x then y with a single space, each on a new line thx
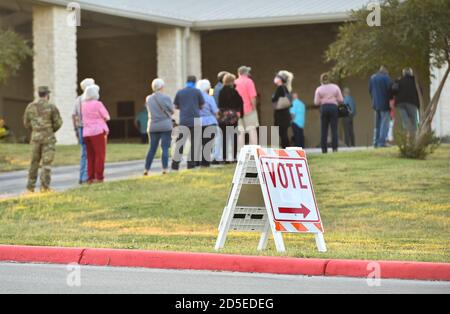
211 14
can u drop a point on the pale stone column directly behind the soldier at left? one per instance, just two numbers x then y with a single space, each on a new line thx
55 62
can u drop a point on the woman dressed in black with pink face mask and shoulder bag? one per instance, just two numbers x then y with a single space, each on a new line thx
282 102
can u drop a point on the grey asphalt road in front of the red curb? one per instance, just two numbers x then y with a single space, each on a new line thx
33 279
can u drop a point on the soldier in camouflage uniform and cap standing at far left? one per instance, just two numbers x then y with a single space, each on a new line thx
44 120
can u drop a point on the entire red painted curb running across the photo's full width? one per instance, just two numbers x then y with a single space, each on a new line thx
222 262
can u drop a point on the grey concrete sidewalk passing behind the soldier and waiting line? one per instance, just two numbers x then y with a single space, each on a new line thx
64 178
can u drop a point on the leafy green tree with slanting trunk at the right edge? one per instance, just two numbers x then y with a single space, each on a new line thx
413 33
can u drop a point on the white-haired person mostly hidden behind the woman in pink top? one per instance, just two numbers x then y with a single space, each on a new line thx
78 126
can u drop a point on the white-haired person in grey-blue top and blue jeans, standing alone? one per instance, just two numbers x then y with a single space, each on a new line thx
160 109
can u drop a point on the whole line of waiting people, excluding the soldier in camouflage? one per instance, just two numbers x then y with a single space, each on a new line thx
233 104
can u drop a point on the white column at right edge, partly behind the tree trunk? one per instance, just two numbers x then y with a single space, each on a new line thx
441 123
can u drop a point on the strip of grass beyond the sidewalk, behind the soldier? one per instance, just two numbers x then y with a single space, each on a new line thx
17 156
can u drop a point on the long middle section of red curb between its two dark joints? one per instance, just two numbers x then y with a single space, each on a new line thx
196 261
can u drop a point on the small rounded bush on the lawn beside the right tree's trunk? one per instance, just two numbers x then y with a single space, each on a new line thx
411 148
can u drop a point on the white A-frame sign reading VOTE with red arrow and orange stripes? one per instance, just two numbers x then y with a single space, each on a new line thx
272 193
